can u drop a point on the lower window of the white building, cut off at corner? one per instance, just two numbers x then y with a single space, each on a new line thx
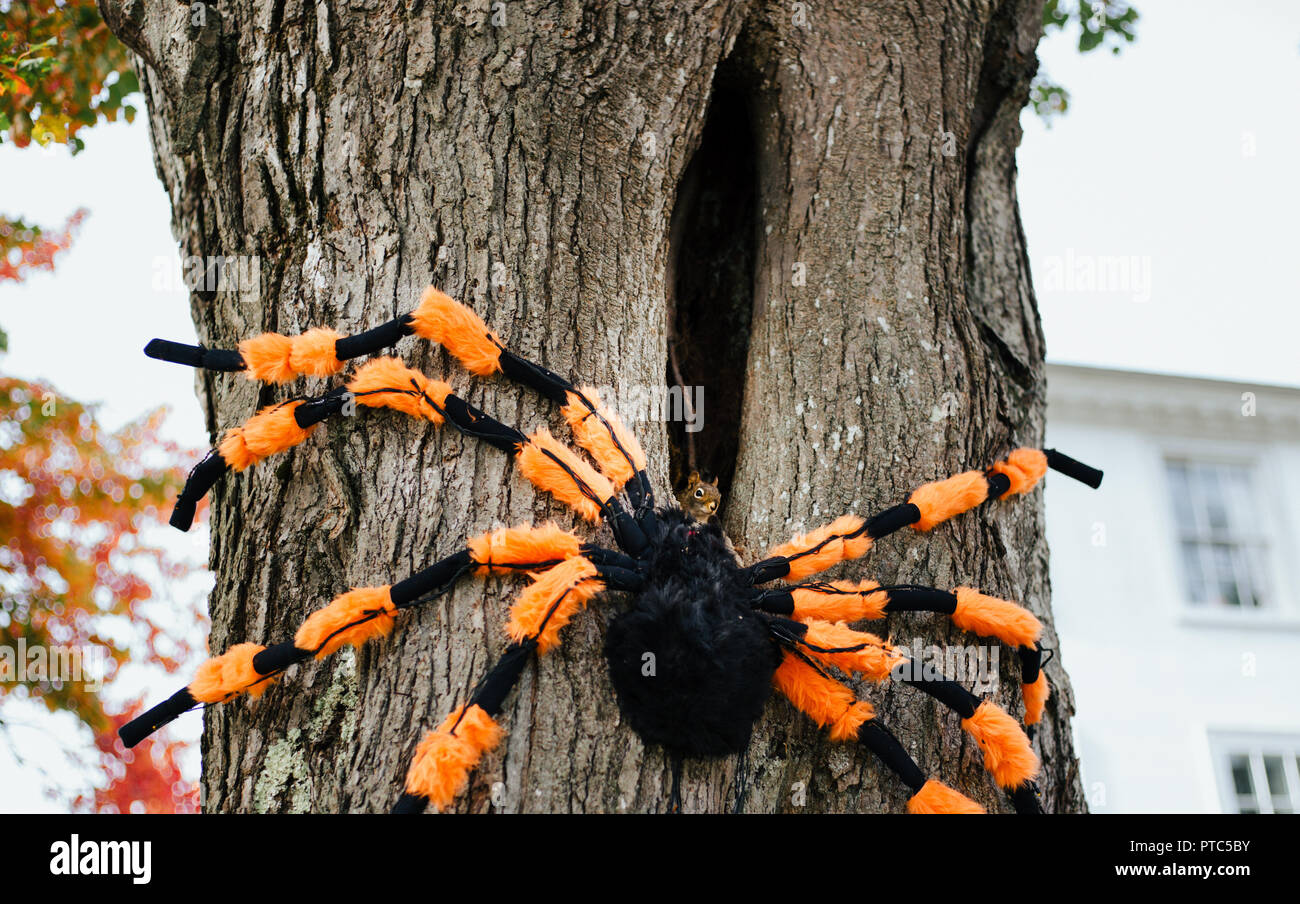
1259 775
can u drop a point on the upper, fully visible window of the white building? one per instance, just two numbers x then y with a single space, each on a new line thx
1220 544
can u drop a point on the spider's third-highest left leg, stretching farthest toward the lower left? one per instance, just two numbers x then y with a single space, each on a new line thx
365 613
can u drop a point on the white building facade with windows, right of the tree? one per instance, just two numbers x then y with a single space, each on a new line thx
1177 590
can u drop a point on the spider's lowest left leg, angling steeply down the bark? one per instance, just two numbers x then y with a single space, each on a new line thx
444 760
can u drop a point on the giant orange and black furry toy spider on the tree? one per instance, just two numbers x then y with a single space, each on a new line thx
696 655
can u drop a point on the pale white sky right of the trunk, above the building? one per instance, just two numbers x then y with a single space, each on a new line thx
1180 157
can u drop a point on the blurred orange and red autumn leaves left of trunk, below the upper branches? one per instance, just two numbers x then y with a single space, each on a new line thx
76 505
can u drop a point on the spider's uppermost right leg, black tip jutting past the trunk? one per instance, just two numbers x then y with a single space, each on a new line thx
850 537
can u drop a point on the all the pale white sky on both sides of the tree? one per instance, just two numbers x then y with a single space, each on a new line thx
1160 214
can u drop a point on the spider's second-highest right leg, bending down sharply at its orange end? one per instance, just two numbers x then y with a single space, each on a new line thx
969 609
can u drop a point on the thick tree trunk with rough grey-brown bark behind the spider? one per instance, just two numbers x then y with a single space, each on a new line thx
877 319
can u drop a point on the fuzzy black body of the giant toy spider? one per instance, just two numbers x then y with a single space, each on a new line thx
713 655
